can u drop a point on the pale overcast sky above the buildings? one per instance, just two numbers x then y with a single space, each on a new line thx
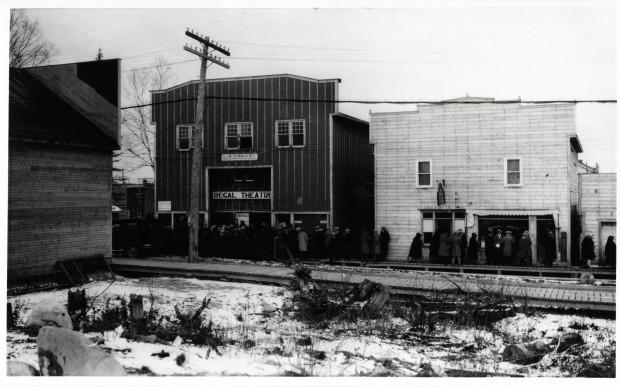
380 54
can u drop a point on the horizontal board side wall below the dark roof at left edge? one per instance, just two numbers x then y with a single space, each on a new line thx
59 205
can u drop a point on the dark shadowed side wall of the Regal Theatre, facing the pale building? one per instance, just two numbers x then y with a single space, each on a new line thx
353 173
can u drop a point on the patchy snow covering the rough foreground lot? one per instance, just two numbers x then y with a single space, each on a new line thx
275 343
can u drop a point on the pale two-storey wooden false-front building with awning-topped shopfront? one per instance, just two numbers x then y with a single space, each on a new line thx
478 167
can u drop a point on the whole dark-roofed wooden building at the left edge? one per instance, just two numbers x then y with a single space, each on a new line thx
63 126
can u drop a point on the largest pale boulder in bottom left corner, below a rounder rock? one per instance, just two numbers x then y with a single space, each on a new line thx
63 352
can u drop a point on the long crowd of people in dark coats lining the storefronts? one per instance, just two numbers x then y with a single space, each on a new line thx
265 242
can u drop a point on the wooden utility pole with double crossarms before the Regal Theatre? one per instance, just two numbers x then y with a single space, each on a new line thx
197 131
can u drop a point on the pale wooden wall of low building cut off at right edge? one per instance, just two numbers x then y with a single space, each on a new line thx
597 203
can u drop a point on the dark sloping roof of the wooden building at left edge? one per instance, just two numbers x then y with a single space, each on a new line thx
74 104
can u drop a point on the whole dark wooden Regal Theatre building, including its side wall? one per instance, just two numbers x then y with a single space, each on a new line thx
265 159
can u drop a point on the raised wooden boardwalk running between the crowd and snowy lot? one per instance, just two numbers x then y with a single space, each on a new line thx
602 298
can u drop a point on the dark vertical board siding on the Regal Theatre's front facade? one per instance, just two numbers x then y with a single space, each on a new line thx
300 175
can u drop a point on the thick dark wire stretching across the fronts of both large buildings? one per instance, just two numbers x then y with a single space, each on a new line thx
374 102
